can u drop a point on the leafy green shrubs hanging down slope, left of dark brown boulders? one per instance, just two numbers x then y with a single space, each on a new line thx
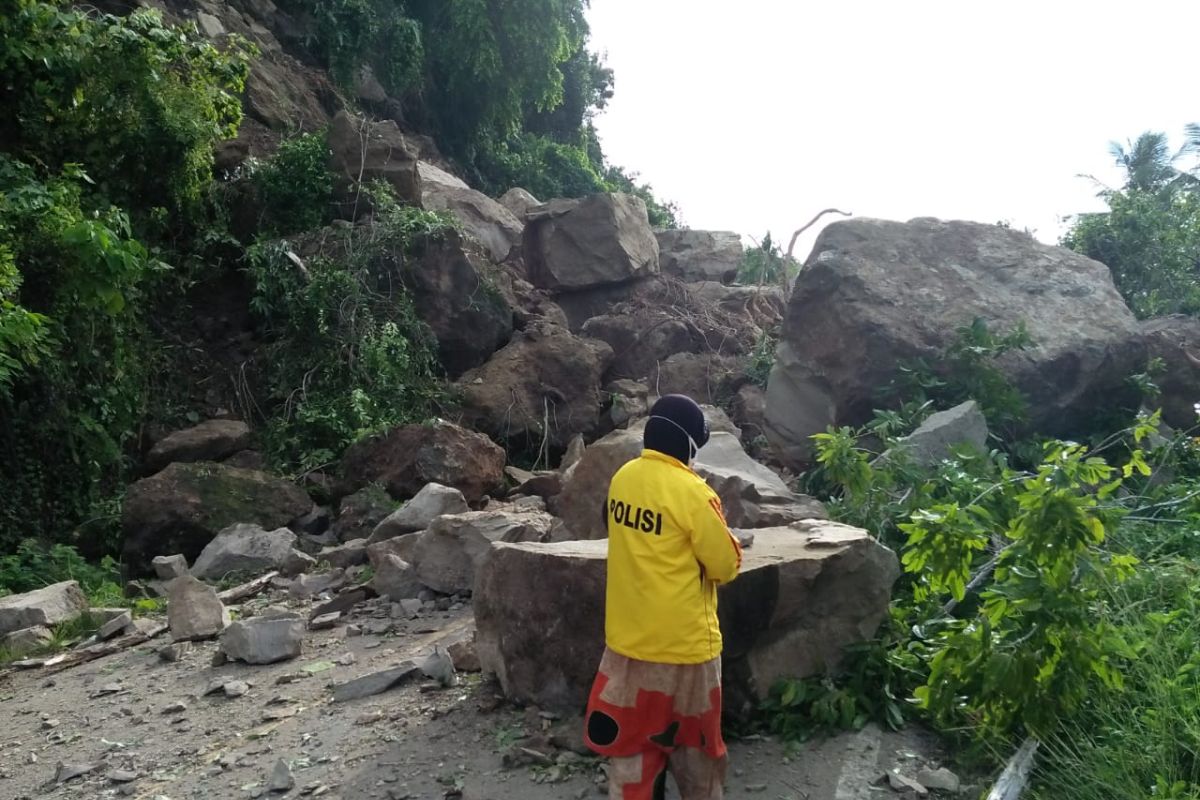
351 358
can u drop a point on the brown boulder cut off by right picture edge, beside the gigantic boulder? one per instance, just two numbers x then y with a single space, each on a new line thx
1177 341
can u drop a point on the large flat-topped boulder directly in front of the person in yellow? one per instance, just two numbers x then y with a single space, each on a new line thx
806 593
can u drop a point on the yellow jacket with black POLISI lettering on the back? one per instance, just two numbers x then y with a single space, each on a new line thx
669 550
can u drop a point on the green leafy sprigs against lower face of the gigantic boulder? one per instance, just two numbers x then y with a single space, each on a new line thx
968 371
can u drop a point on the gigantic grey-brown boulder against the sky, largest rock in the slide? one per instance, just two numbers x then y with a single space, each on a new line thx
877 296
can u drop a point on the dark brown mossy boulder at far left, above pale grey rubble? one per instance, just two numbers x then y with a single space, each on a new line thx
183 508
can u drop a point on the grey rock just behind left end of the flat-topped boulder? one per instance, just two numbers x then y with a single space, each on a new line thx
449 554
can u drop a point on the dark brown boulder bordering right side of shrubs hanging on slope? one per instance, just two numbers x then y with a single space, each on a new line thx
457 293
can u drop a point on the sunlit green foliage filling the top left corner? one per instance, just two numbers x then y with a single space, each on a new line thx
136 103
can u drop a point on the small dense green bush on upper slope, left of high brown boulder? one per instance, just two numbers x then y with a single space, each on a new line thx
296 188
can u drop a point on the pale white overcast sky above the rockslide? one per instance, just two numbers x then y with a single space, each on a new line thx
755 115
